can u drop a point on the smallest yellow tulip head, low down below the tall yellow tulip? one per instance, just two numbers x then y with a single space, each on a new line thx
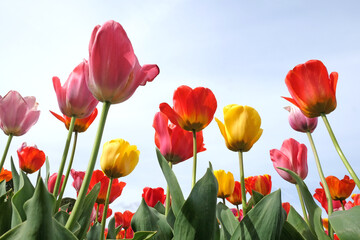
226 183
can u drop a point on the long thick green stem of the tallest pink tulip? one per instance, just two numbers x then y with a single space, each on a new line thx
85 184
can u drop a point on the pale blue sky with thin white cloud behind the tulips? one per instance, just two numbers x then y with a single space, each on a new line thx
241 50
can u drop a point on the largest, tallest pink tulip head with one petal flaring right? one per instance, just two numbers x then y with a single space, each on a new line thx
115 72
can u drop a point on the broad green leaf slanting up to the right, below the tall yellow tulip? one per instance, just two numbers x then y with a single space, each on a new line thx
264 221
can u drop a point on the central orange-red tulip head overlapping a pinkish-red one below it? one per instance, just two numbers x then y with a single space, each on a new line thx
193 109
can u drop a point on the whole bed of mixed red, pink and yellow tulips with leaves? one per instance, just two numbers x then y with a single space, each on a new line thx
219 206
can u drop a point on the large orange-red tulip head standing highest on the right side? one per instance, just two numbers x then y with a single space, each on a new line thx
311 88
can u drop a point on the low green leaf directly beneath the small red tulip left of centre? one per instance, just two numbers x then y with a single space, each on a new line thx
148 219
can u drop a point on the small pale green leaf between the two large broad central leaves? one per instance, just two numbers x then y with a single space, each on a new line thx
227 220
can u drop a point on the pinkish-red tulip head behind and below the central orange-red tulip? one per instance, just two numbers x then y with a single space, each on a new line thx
175 144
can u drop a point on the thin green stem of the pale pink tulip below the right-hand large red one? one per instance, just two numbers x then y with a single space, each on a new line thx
322 179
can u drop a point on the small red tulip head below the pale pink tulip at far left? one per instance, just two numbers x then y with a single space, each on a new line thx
31 158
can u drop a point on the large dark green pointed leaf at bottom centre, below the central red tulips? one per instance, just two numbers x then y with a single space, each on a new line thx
198 211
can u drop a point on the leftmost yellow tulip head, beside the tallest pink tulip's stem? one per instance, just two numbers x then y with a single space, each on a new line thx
118 158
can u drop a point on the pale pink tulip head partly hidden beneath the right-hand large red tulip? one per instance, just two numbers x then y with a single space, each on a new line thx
299 122
